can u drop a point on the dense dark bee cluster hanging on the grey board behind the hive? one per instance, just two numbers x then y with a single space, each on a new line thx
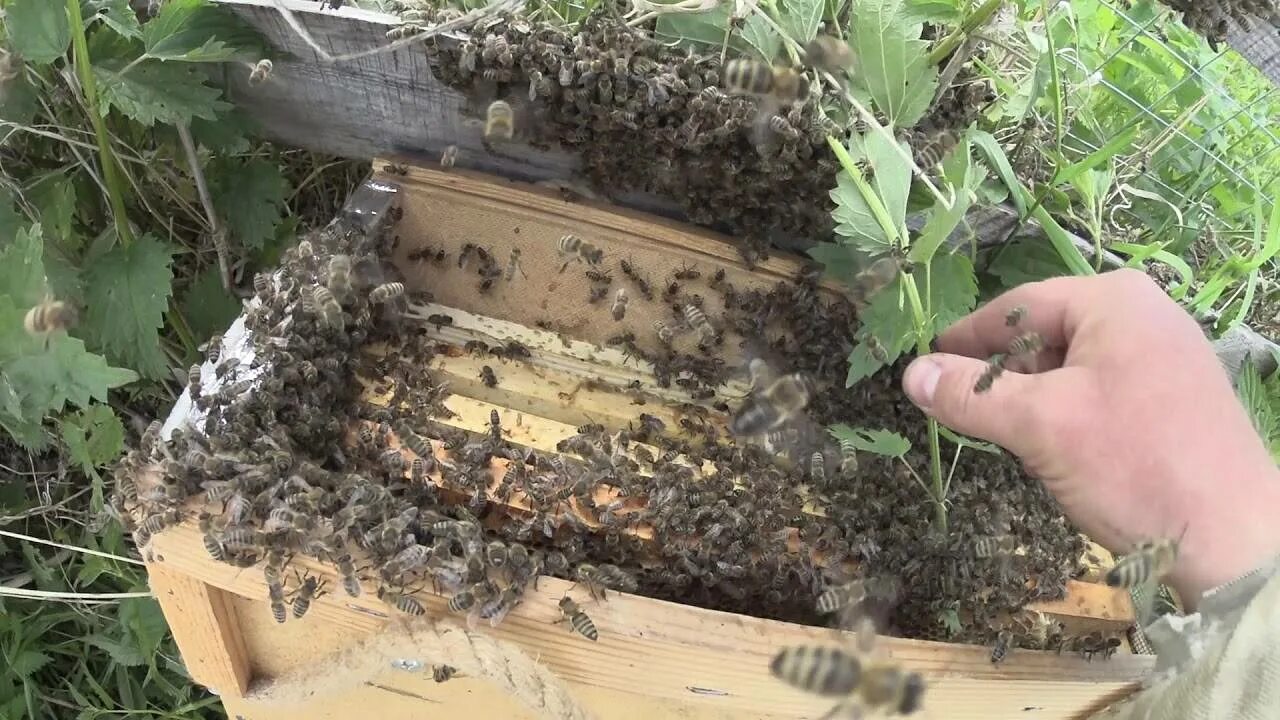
742 147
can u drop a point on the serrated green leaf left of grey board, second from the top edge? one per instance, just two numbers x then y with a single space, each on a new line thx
154 92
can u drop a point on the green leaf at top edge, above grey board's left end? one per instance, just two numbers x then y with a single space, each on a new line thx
196 31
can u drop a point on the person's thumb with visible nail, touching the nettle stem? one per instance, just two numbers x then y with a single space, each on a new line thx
1008 414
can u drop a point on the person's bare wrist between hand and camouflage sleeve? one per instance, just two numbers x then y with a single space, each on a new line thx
1228 535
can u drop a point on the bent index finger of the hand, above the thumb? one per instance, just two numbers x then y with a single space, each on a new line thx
1048 307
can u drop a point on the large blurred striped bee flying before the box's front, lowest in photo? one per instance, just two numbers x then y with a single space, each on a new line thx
872 685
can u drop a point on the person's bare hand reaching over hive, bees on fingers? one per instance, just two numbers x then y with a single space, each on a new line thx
1127 417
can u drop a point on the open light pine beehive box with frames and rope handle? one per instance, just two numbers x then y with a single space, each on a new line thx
653 659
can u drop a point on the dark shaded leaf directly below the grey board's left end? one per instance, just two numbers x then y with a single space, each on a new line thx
250 199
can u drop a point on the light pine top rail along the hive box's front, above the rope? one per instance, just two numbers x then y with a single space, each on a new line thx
661 649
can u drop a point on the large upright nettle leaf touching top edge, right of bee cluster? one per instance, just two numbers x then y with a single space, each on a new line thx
893 60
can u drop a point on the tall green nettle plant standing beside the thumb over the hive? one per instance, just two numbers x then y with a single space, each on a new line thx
931 284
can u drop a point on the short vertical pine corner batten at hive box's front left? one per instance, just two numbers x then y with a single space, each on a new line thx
204 627
